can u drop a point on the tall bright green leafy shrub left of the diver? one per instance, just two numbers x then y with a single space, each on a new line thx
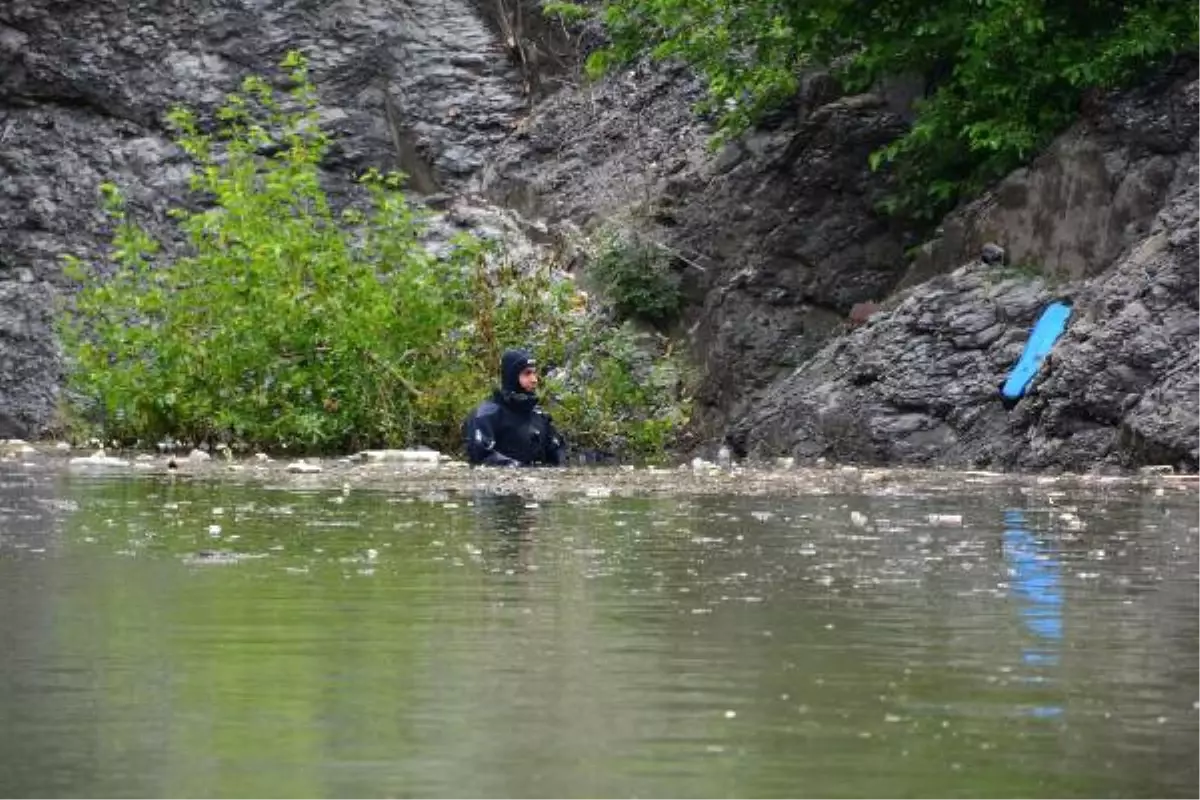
284 323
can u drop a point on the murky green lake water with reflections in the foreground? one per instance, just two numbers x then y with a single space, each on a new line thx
177 640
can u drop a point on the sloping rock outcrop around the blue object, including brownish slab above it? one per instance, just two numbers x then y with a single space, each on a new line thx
1111 219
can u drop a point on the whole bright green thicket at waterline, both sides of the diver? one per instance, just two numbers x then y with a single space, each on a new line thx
285 324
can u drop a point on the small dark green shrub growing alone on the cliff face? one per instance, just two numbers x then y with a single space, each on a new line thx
637 278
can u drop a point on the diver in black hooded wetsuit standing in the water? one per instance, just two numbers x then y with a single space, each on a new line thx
509 430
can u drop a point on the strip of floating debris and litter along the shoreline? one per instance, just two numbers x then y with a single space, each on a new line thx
427 472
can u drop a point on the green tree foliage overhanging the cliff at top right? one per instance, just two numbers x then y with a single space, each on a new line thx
1003 76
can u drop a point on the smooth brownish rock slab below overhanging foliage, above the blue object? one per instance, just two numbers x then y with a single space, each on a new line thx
1096 193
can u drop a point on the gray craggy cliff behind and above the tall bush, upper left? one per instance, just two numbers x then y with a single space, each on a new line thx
424 87
